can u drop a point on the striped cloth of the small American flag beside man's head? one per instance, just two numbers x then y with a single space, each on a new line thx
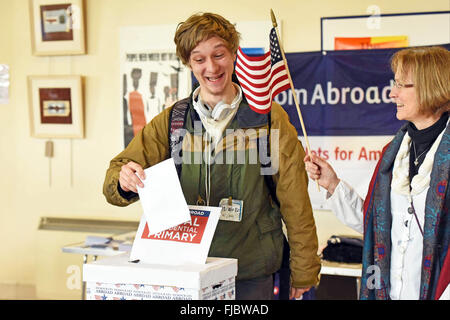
263 77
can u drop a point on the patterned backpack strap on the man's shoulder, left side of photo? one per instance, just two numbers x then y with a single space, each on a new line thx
177 120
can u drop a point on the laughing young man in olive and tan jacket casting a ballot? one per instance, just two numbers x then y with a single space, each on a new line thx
207 44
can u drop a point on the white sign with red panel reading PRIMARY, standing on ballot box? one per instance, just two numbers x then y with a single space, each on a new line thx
187 243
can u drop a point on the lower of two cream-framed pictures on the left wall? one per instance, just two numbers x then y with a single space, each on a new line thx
56 106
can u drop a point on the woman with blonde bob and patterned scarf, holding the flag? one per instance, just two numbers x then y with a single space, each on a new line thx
404 218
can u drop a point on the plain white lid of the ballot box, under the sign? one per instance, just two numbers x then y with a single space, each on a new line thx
118 269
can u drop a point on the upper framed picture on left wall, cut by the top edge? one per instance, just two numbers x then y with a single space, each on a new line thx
57 27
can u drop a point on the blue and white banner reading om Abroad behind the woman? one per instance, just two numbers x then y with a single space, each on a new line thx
346 108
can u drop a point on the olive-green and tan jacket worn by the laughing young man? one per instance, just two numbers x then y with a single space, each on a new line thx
257 240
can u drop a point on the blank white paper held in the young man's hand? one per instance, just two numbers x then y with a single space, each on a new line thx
162 198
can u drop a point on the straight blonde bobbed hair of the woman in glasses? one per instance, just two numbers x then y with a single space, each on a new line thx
430 71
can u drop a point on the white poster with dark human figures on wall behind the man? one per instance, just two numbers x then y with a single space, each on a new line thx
151 75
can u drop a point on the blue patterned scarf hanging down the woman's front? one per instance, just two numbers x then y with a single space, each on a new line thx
375 282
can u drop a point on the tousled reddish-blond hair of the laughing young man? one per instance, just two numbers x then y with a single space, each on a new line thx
202 26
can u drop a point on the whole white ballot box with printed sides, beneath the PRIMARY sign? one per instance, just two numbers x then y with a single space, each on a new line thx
116 278
